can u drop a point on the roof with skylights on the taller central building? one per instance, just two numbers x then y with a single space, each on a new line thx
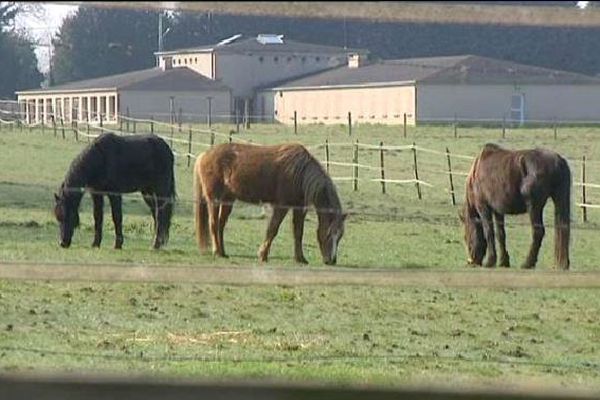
237 44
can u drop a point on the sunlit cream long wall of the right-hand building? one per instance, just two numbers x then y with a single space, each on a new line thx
384 105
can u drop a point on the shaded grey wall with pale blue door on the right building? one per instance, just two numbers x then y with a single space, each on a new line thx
542 102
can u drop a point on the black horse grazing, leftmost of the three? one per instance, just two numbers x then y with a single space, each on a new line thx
112 165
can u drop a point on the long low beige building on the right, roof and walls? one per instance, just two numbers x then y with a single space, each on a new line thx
468 88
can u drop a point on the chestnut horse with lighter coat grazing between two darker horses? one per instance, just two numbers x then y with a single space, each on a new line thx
286 176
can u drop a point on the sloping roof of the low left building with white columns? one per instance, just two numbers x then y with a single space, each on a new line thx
153 79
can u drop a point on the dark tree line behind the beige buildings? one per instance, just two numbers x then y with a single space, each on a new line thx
96 42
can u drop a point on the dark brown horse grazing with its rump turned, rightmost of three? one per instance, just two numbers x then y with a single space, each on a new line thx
515 182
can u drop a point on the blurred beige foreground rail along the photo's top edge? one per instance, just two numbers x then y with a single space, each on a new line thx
385 11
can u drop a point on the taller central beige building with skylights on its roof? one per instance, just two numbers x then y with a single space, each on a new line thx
245 64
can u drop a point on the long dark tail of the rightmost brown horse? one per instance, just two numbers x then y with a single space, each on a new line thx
562 215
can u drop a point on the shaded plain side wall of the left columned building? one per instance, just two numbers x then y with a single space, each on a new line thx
146 104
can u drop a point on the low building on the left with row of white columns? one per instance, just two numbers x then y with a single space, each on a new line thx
144 94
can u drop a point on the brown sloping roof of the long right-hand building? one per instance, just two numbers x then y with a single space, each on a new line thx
466 69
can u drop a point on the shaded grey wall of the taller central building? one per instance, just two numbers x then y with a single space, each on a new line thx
244 72
